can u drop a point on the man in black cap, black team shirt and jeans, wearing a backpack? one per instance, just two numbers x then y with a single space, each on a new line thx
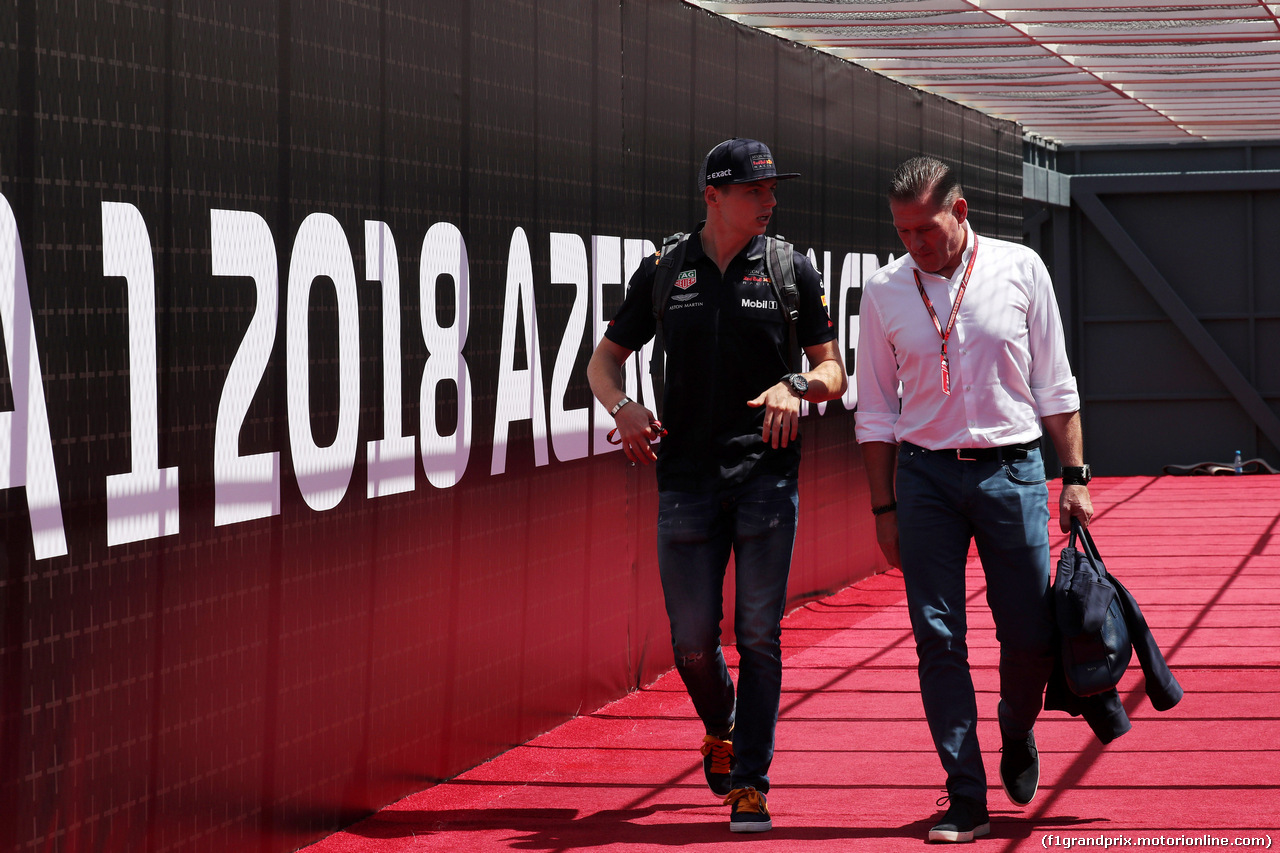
729 460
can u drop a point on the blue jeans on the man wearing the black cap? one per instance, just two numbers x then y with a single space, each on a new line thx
697 531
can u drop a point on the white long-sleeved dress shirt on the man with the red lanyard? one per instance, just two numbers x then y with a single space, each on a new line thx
1007 353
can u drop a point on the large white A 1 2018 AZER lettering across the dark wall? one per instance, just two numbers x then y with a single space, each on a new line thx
143 503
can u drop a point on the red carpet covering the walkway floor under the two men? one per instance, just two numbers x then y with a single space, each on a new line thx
856 768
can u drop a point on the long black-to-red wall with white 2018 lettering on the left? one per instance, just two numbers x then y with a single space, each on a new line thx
305 499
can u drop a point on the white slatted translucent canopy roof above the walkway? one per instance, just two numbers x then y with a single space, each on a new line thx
1071 72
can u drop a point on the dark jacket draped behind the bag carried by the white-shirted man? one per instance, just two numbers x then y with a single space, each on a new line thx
1104 711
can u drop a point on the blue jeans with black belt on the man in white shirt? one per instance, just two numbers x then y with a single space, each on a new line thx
943 504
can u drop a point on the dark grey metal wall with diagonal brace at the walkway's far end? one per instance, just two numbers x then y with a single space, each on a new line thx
1191 377
